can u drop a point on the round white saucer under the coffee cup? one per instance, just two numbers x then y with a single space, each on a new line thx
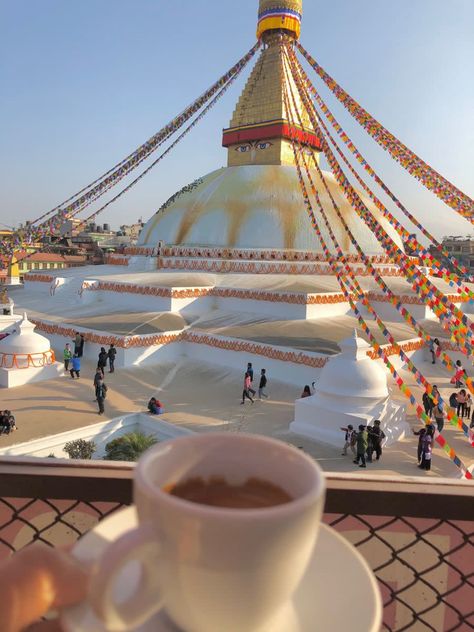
338 592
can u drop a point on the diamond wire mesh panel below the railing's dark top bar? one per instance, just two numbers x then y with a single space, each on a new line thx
425 567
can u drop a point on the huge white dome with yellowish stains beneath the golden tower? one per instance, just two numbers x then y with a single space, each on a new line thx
259 207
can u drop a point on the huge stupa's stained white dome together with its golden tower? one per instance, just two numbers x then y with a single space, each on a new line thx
256 203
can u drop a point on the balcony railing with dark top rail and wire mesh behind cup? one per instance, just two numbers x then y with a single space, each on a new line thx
417 535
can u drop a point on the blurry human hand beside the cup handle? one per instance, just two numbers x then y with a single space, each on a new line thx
34 581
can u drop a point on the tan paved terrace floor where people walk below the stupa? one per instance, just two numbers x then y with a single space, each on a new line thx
203 398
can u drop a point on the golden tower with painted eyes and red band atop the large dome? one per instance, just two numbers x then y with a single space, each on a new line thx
261 129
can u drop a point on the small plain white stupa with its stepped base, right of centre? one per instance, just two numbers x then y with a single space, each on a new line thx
352 390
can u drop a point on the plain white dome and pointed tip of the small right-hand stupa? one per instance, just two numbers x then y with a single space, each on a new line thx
352 373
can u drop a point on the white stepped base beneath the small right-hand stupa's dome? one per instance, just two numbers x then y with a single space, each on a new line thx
315 419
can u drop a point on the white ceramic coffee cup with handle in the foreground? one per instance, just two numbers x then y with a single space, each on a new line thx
211 568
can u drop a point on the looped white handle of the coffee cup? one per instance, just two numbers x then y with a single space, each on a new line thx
139 545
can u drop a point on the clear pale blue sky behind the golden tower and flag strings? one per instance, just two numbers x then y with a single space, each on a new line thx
84 83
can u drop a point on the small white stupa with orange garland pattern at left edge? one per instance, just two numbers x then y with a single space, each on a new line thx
26 356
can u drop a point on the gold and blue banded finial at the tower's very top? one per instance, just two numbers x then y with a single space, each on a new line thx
280 15
